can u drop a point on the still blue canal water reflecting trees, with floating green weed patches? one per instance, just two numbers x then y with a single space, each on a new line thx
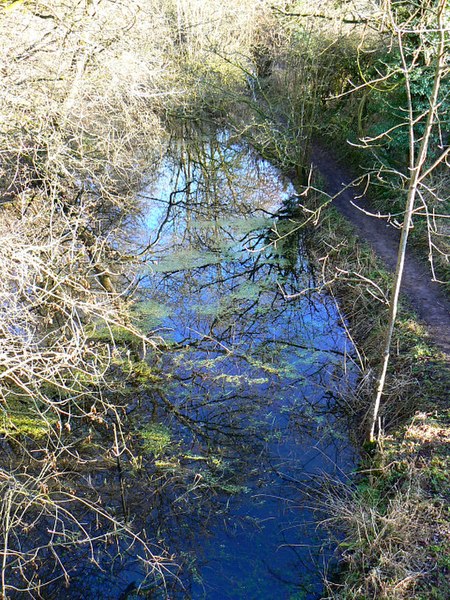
242 396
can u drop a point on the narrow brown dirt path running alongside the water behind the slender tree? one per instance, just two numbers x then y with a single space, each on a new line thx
426 297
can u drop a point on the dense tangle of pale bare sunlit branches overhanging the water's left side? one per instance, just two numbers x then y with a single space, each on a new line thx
85 94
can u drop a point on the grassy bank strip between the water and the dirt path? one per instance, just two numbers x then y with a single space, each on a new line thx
395 521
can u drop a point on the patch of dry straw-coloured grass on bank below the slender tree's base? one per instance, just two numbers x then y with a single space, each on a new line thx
394 523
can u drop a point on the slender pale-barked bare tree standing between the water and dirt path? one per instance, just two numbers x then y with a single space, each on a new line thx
428 24
